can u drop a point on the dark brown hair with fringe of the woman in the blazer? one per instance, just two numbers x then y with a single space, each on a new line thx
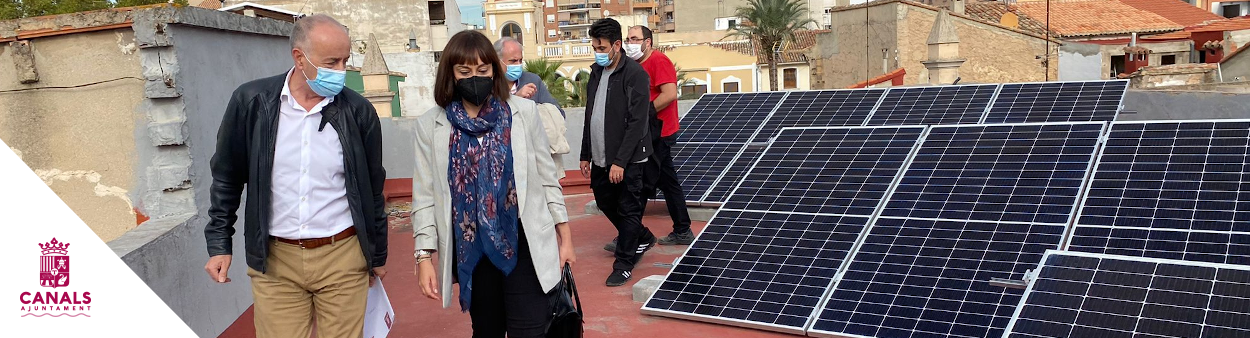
467 47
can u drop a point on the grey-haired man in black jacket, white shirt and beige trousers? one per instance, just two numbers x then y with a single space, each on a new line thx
309 156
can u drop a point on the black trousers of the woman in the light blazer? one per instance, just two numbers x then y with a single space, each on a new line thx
513 305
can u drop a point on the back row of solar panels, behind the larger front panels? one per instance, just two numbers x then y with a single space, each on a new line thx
752 120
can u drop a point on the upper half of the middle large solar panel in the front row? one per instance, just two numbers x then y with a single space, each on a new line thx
1012 173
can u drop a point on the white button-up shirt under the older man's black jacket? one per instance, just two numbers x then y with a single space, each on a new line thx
309 185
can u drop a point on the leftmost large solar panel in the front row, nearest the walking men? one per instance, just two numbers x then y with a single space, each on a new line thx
767 264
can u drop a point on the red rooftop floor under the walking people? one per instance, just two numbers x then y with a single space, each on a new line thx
611 312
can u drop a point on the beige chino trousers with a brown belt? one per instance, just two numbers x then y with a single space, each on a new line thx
332 281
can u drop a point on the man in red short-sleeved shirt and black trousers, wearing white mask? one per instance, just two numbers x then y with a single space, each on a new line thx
664 98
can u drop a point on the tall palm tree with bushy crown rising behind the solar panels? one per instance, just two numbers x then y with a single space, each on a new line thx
771 24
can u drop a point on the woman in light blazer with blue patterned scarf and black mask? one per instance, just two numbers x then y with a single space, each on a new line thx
486 197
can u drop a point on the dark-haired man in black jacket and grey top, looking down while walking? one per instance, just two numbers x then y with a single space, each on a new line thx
616 145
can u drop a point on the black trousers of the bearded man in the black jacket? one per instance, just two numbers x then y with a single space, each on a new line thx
623 205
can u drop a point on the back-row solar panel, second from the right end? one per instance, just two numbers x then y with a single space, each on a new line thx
948 105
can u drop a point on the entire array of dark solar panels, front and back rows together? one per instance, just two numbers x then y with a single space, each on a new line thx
912 231
